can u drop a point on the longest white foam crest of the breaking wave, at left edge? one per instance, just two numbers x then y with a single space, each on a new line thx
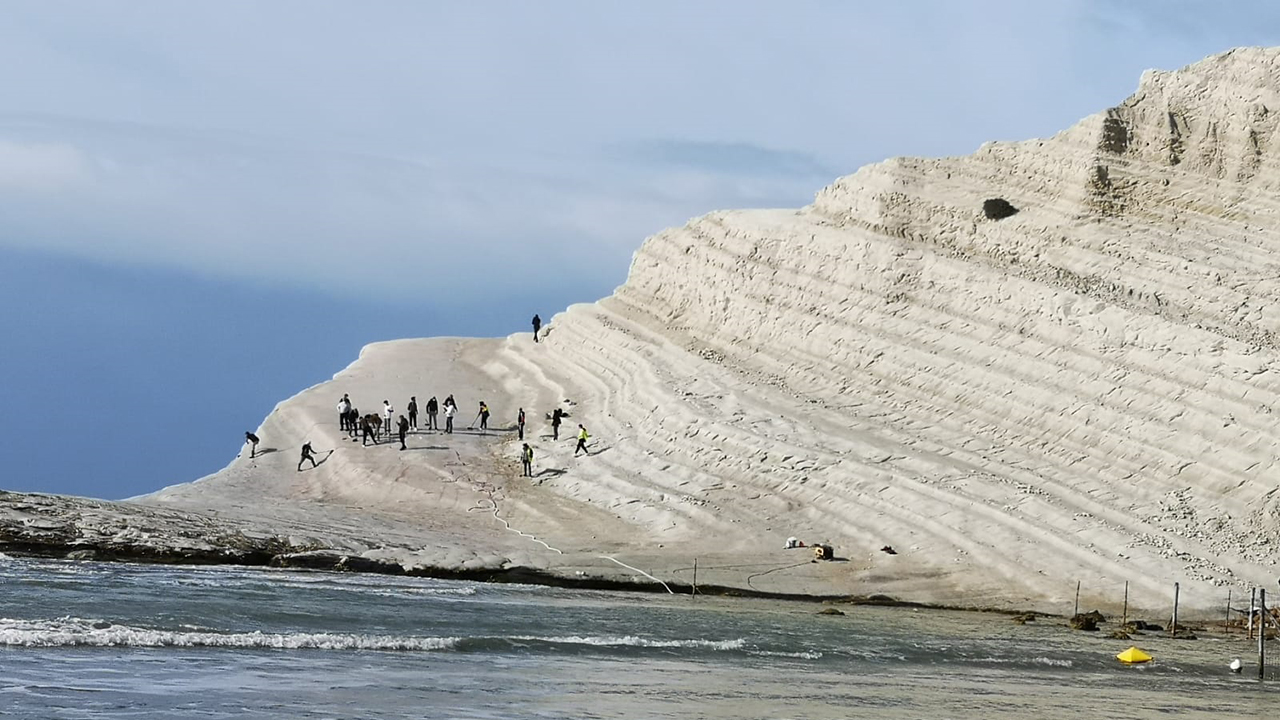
75 632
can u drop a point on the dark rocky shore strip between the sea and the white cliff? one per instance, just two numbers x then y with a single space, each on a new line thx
52 527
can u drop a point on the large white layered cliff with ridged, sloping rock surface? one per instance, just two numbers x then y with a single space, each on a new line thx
1081 391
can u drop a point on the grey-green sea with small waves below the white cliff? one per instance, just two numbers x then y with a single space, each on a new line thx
106 641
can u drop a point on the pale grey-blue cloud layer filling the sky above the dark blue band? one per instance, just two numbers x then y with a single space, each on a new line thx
385 149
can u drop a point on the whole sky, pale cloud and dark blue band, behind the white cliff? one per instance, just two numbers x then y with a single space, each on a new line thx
208 207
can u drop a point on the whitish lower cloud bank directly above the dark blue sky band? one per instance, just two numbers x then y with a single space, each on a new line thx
285 212
